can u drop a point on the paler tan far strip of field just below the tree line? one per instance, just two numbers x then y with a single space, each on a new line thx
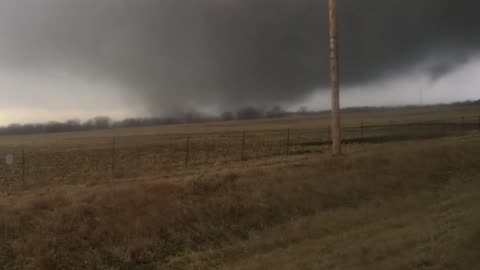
452 113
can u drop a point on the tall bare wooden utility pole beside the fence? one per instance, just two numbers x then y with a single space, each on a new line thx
334 76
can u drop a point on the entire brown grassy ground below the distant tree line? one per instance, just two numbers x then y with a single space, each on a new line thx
402 196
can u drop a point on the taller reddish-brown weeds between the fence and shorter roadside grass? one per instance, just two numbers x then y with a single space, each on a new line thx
134 225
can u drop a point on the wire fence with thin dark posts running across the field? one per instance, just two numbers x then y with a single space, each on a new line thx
92 160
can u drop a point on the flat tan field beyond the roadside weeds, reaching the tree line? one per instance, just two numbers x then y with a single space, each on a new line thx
86 157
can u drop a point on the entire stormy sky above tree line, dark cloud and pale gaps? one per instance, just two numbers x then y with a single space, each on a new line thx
79 58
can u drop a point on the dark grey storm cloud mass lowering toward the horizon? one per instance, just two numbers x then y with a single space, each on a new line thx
172 54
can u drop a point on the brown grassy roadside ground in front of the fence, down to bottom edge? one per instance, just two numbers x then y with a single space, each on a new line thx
193 220
